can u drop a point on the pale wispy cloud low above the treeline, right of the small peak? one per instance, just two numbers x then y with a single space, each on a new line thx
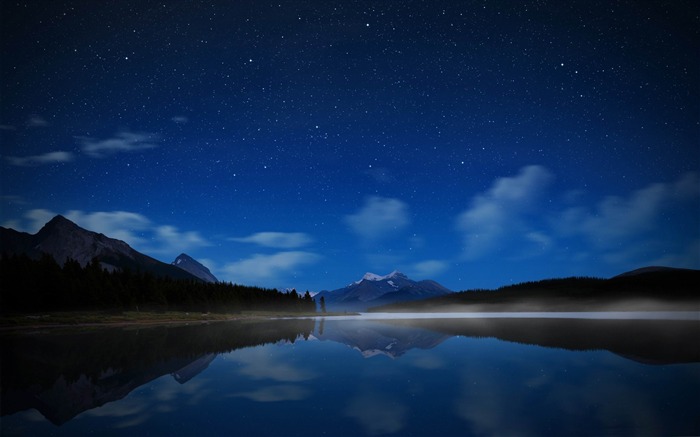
265 269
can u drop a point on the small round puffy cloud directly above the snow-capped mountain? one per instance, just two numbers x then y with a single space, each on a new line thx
379 217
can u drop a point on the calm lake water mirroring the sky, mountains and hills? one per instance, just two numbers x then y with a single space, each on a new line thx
348 377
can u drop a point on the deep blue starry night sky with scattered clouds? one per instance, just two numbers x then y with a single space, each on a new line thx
304 143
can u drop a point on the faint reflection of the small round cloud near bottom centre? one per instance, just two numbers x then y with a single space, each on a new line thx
377 413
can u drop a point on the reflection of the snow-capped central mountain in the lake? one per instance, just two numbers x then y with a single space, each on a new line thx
372 338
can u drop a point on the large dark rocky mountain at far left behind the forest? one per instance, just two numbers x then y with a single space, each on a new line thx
63 240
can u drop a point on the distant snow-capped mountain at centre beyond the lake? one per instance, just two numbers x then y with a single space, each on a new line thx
374 290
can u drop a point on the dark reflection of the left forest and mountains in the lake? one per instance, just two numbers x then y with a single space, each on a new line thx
62 375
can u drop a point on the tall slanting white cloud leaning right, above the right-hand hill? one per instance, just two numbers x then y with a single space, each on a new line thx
498 212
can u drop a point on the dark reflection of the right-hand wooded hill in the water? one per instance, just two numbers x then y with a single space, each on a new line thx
646 341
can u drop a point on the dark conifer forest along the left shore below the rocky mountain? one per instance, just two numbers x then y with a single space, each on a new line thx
30 285
